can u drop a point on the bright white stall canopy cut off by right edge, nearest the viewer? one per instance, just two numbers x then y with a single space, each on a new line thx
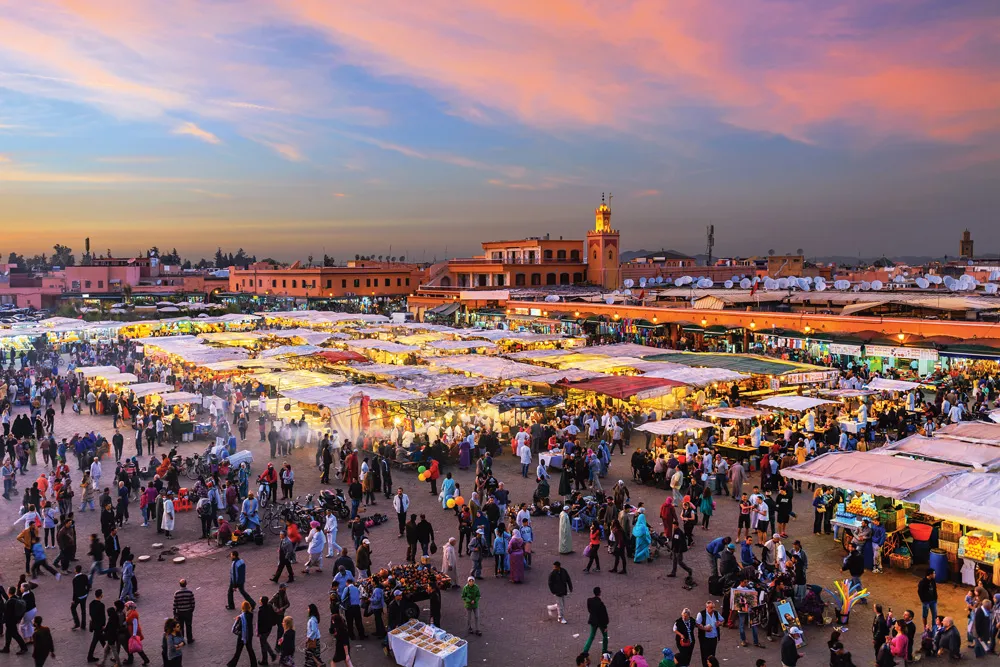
971 499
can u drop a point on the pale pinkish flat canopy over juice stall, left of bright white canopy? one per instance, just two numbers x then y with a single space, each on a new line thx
889 476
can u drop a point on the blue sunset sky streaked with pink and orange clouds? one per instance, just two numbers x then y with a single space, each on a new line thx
292 127
